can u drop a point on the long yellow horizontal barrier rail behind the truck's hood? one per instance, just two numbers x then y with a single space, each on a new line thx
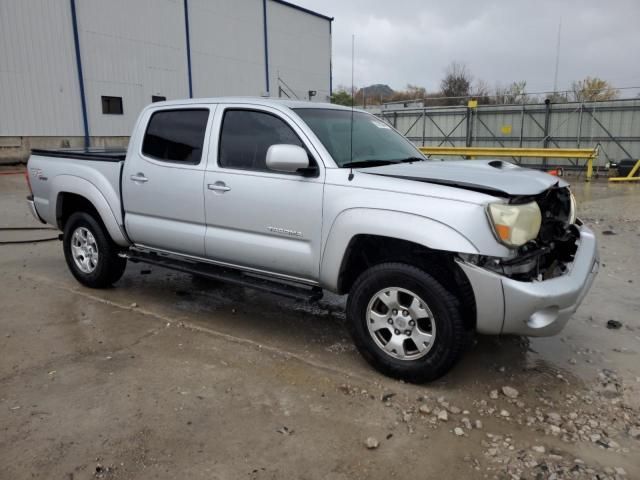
589 154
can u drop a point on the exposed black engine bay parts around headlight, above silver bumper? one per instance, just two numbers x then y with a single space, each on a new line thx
548 255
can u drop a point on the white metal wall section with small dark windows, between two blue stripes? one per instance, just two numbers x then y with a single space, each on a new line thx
130 49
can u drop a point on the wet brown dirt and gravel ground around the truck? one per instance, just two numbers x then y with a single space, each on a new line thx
165 376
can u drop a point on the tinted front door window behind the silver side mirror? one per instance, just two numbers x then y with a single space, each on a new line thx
247 135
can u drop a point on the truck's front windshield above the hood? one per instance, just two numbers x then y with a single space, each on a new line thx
374 142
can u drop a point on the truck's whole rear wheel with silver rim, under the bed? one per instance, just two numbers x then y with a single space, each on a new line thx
90 253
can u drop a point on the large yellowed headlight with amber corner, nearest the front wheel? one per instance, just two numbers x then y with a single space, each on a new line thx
515 225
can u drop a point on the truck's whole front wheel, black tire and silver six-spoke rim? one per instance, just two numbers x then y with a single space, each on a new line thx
405 323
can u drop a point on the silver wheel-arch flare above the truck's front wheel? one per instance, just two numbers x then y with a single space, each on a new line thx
386 223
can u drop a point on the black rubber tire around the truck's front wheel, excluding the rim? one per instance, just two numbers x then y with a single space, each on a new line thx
451 336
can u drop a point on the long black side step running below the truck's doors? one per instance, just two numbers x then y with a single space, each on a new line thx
229 275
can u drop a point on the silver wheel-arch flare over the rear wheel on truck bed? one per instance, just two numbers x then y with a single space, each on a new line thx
84 188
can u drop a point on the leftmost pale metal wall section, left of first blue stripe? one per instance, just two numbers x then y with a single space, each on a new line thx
38 76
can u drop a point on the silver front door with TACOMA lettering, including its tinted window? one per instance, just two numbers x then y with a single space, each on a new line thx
258 218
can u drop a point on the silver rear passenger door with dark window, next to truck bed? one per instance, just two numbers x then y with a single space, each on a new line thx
162 183
